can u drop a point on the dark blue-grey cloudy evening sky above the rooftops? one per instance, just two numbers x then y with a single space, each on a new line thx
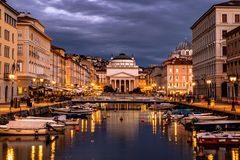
147 29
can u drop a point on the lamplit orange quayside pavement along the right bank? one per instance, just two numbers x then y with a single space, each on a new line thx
218 107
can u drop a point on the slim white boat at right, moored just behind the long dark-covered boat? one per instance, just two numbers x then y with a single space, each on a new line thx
201 118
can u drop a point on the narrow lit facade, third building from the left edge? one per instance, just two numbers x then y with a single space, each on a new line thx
58 67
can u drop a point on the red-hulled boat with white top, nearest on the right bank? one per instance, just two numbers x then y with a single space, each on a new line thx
218 138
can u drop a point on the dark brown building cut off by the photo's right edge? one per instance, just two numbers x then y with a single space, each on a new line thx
233 61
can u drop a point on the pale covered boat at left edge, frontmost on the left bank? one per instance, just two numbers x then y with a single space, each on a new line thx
24 128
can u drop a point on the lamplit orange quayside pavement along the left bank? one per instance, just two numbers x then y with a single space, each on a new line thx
5 108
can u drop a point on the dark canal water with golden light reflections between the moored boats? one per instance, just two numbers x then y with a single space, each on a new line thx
115 135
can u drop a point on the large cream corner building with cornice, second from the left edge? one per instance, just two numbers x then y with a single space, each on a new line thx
34 55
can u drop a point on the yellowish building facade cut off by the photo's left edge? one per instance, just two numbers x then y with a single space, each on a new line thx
8 47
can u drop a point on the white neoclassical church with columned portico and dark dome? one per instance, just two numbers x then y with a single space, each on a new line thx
123 73
